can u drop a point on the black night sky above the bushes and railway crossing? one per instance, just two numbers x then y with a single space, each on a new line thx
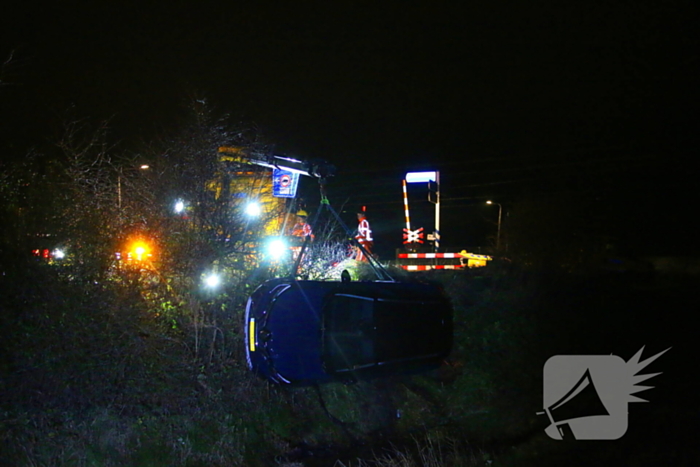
504 99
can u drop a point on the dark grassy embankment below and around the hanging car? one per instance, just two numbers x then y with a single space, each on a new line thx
91 375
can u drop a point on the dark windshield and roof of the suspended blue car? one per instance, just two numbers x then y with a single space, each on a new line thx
362 331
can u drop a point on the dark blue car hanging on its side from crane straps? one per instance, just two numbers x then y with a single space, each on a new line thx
303 332
